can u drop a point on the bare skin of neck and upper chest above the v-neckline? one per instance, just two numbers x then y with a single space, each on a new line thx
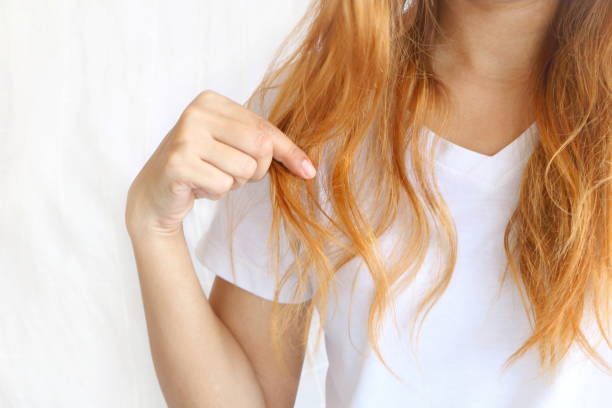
485 62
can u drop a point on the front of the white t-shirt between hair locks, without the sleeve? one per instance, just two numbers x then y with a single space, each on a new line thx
458 357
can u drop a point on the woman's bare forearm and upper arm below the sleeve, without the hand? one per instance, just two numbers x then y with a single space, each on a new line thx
210 354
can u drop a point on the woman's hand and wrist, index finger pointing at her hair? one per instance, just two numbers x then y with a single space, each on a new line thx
216 146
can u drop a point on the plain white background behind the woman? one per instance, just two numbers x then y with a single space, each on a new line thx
87 91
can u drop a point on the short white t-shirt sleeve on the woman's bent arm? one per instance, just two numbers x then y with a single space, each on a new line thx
235 247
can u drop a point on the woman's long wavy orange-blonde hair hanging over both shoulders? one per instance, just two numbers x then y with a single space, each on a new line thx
361 75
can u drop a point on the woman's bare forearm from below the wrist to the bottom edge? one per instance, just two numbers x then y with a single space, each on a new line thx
198 361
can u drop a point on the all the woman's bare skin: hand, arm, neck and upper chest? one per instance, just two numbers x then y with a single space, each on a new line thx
215 352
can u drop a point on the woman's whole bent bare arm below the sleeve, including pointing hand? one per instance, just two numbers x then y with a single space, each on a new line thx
202 354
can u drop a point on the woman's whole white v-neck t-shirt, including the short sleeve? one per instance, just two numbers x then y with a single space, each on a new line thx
469 333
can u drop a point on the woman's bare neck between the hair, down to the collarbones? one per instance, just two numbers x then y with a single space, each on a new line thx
492 41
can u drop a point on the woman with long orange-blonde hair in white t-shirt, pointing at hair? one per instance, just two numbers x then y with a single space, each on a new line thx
456 143
